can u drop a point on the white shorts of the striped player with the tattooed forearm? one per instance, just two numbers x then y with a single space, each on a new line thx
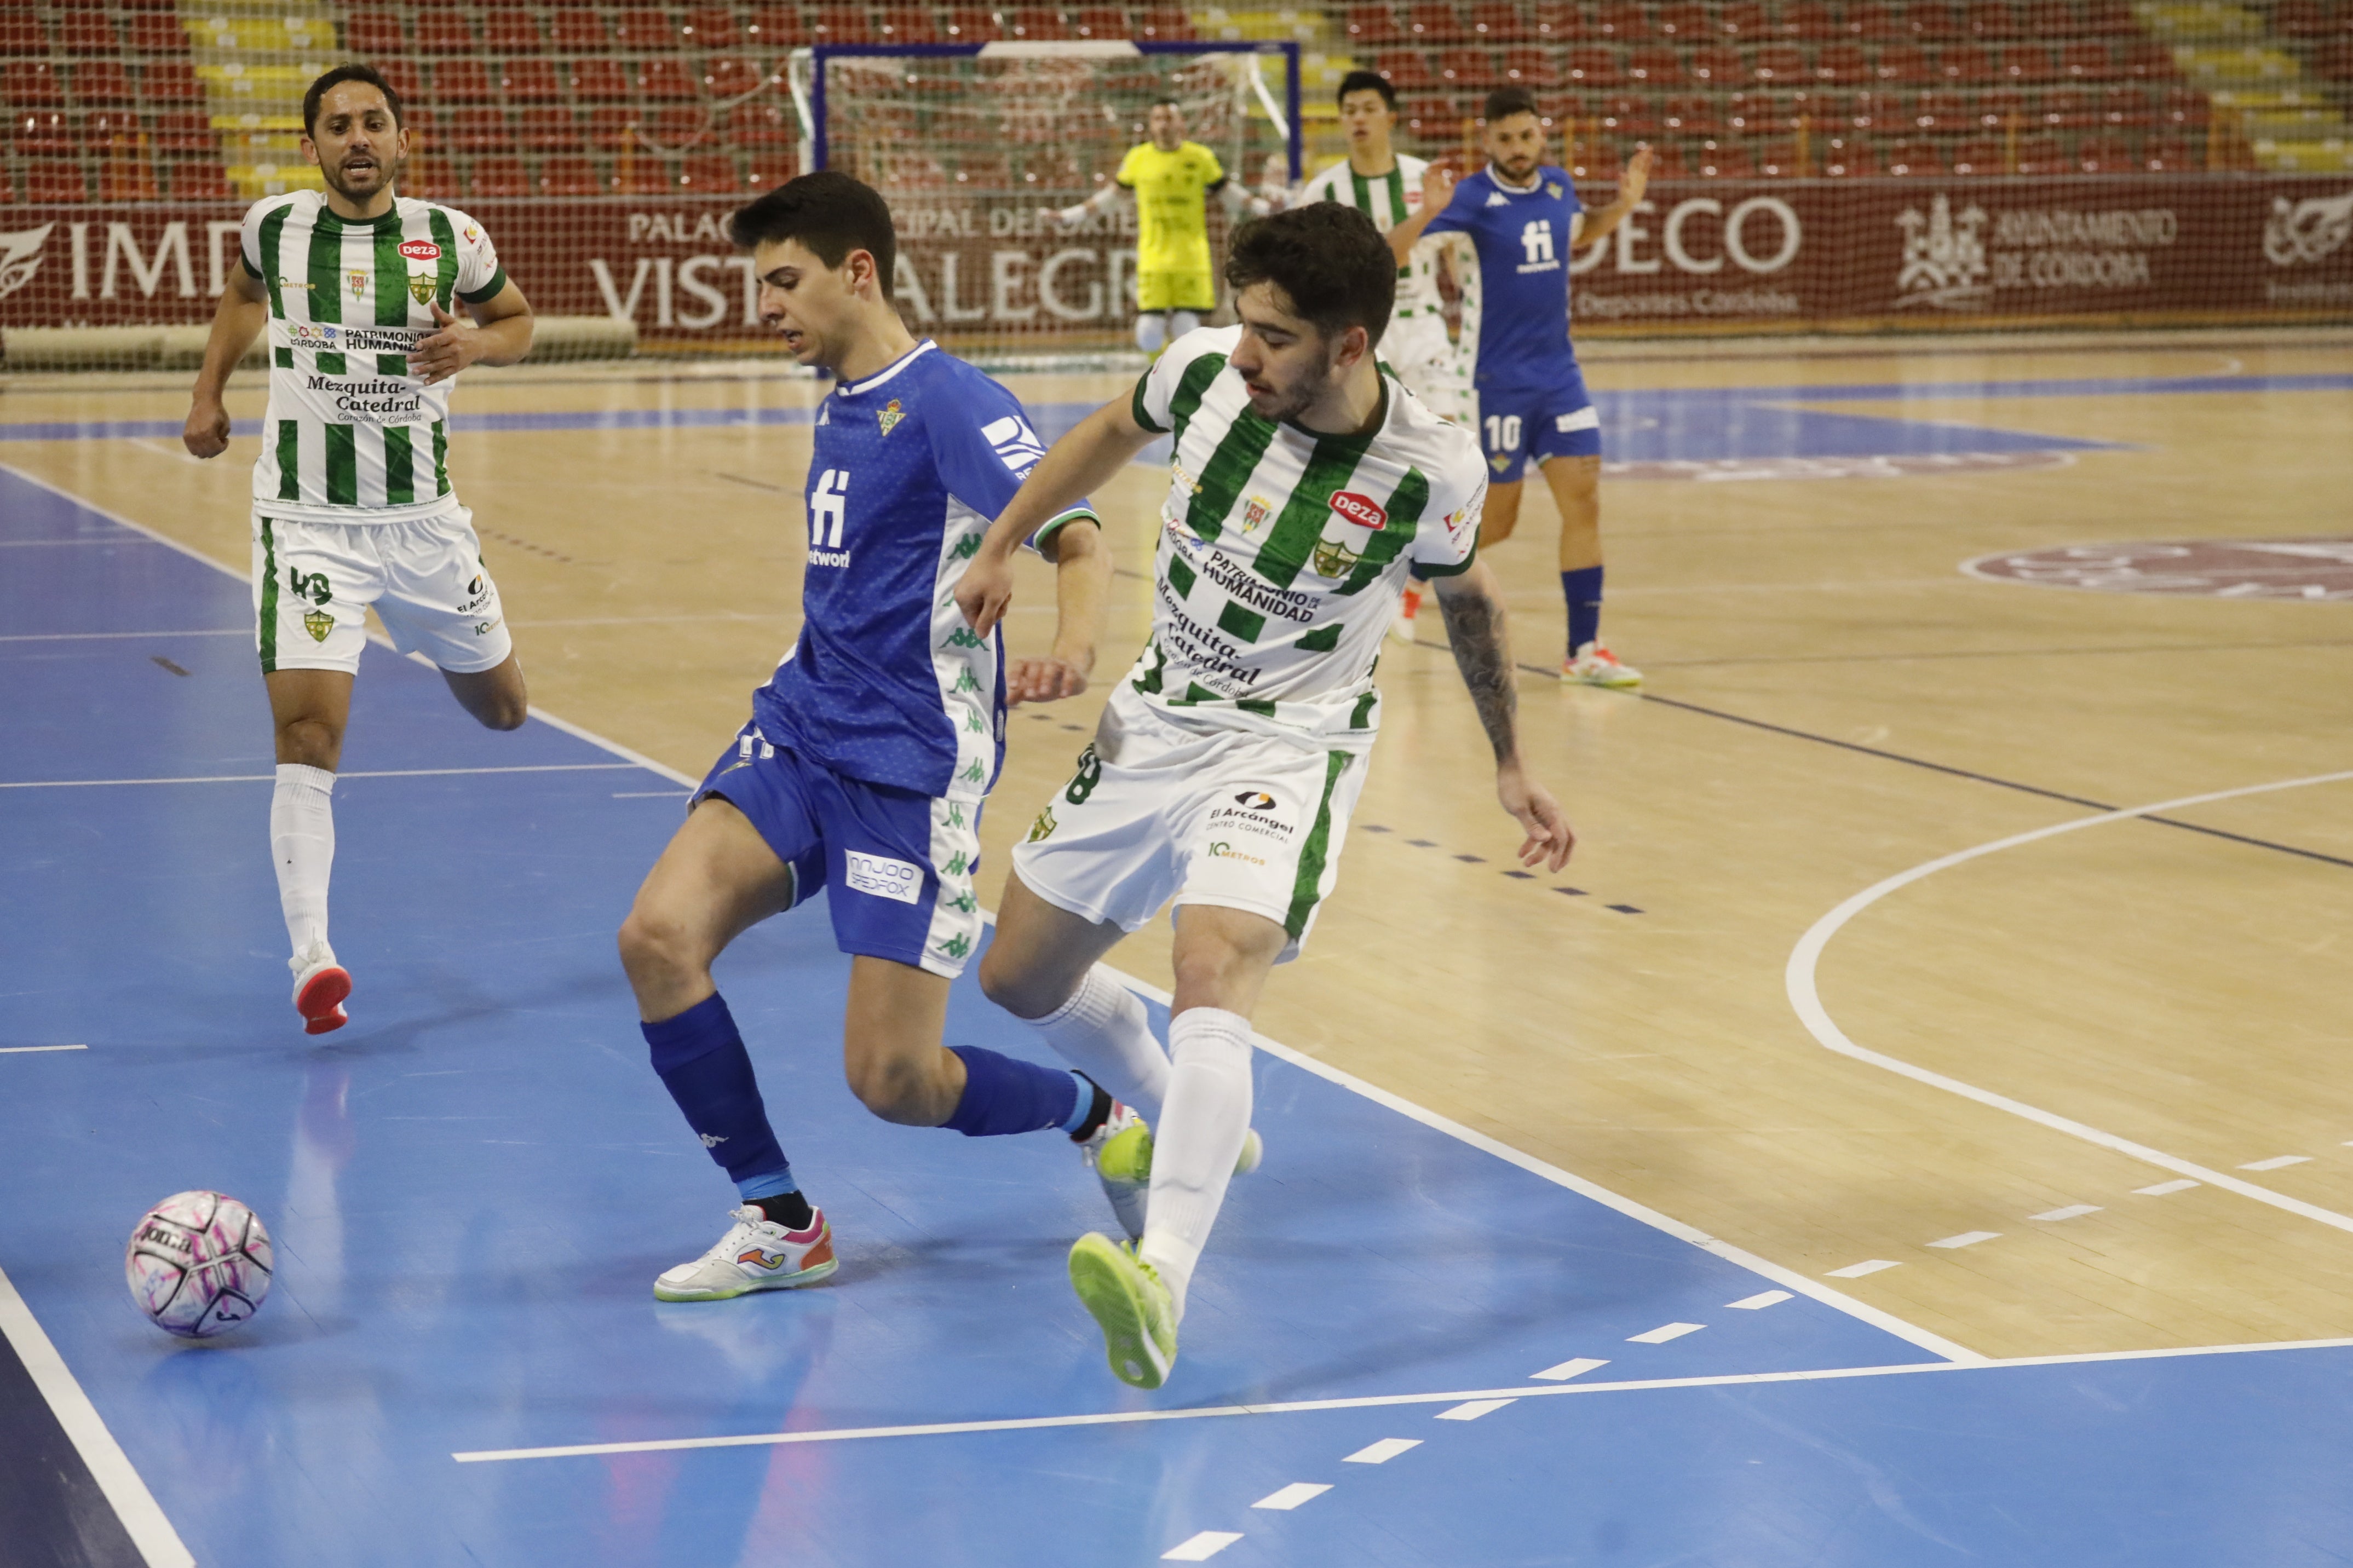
1156 812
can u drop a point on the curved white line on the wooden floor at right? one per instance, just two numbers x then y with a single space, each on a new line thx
1808 956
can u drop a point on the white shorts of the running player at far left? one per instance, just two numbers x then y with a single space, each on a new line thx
316 579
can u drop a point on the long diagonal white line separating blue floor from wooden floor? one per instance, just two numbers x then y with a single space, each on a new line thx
1347 1080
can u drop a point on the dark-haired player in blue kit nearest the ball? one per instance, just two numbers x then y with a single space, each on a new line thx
867 756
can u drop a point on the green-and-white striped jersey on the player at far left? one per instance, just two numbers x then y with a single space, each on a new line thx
352 436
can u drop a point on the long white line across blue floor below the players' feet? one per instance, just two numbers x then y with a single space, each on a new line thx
1373 1402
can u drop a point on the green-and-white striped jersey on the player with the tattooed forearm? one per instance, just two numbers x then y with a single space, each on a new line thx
1284 551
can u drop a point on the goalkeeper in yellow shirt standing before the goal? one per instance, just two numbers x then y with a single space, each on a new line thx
1171 182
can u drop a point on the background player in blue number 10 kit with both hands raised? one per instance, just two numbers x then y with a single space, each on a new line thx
1524 217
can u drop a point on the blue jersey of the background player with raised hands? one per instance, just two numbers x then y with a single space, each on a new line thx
1524 274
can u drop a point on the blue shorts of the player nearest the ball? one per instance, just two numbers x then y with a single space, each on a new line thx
900 862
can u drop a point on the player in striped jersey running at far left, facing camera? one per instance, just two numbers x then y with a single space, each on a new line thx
354 509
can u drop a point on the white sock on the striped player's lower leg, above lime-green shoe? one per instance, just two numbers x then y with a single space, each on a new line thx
1201 1134
